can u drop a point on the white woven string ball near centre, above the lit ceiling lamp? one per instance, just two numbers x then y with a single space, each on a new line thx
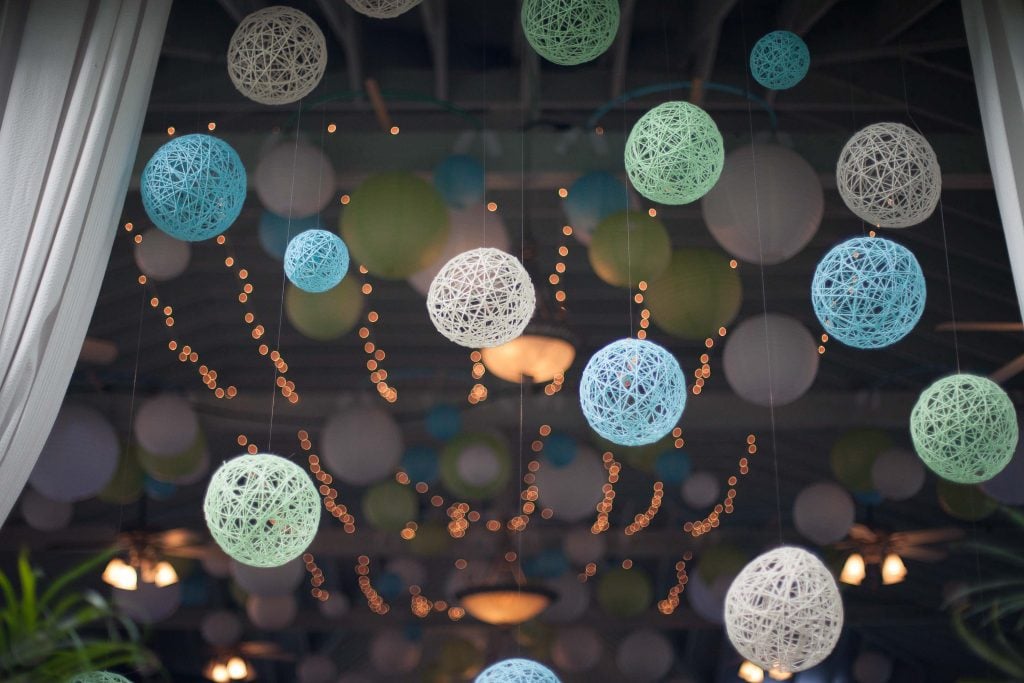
482 298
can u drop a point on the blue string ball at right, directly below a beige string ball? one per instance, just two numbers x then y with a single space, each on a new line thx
869 292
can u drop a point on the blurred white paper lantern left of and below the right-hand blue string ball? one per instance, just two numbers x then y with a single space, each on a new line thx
780 340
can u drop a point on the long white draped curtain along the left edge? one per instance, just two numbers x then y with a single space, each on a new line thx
75 79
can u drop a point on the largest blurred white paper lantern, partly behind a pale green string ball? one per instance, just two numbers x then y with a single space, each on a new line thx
767 205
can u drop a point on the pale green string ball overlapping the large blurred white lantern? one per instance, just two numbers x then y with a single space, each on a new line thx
674 154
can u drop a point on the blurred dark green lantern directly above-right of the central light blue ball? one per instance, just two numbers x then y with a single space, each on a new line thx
699 293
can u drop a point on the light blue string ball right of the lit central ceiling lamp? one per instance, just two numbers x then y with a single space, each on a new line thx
633 393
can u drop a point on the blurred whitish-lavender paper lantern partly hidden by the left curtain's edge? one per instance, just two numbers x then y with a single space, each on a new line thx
79 458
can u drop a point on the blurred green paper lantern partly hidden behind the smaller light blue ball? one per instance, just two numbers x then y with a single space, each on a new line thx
327 316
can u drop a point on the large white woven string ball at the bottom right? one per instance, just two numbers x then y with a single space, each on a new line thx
784 611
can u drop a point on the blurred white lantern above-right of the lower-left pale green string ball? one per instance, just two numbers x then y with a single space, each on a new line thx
362 445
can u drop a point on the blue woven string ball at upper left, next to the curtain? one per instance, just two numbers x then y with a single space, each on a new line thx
194 188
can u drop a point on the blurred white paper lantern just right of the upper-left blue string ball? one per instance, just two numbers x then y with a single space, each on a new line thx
295 181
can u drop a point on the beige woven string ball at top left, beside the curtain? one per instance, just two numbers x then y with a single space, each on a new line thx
277 56
